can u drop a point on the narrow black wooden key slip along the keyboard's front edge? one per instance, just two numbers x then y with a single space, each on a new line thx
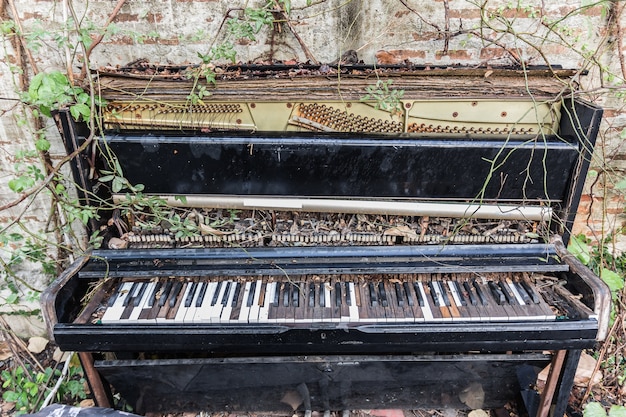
266 339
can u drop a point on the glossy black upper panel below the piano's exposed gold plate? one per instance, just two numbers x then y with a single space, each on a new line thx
347 166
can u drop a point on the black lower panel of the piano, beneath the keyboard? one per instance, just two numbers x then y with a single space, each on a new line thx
327 382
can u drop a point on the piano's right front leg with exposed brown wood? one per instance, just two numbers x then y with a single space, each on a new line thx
560 381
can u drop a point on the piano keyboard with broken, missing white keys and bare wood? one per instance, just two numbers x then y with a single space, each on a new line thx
407 298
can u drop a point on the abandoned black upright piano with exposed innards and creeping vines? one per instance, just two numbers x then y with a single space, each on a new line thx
318 238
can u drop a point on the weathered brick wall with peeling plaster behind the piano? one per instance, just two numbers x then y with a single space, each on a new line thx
439 32
